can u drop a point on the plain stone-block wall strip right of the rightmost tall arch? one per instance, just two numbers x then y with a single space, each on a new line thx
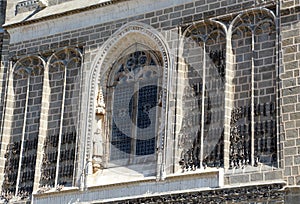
290 90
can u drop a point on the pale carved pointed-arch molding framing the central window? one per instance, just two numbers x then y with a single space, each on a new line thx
125 37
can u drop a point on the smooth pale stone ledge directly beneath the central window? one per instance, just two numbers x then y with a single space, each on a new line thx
175 183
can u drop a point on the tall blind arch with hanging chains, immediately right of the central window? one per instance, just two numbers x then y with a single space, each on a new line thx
201 61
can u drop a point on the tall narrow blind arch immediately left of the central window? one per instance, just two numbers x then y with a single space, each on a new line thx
59 136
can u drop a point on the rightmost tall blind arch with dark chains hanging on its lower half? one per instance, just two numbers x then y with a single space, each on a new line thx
253 36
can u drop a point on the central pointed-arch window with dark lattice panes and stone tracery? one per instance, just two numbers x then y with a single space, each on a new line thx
134 87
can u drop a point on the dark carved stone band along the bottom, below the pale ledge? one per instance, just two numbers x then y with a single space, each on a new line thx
260 192
